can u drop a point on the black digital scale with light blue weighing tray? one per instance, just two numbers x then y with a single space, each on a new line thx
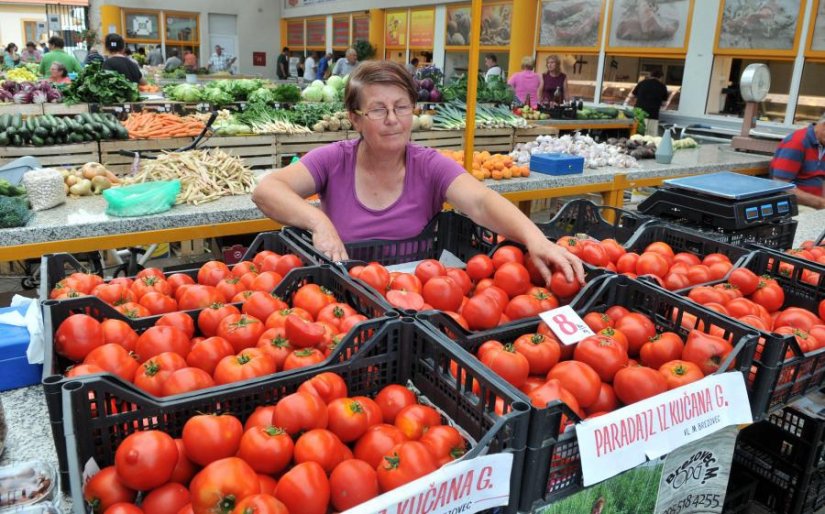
724 200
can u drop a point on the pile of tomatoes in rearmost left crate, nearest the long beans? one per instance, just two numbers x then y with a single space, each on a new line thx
151 292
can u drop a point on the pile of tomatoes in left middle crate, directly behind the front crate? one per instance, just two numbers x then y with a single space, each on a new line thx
266 335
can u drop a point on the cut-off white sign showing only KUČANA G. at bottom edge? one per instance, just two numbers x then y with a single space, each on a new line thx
466 486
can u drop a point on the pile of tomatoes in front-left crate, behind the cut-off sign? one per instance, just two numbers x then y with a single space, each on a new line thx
316 450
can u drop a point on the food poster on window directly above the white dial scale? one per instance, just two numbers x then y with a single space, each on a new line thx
759 25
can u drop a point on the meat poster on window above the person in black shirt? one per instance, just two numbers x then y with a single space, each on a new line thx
649 23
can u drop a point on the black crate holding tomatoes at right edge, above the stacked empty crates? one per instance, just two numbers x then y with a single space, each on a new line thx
800 373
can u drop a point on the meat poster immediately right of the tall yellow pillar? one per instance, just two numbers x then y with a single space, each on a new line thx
566 23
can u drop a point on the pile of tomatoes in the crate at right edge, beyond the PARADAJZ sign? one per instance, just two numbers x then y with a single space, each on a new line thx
757 301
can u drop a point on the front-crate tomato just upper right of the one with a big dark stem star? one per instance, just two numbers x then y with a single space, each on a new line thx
266 449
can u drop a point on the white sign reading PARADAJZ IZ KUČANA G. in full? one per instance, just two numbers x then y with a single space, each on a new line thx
648 429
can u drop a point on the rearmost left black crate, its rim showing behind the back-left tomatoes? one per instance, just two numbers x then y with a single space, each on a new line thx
54 267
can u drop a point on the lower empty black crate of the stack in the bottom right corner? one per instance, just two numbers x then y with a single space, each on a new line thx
780 487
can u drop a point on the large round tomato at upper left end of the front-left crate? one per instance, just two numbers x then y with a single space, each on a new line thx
145 460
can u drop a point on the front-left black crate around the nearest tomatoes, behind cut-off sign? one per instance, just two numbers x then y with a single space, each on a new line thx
100 414
